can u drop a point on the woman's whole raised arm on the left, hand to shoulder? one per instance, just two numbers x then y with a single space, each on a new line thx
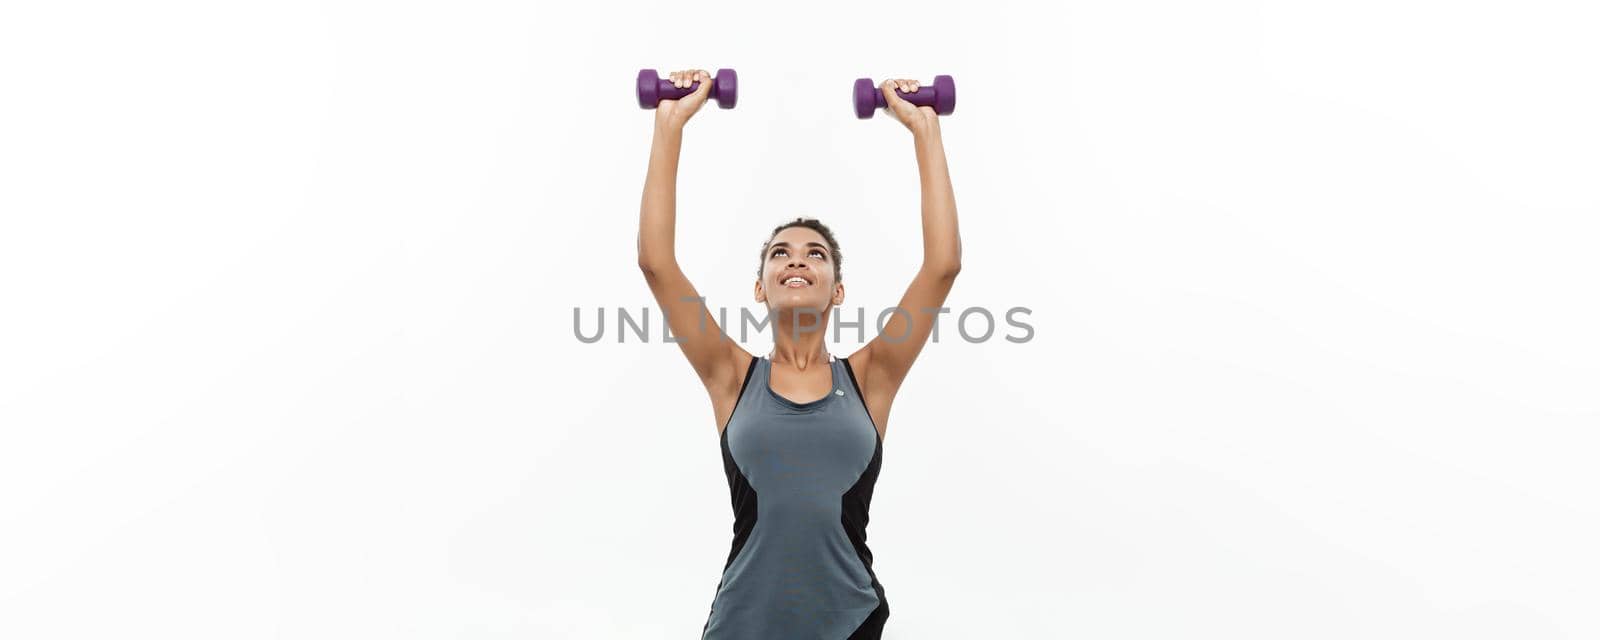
714 359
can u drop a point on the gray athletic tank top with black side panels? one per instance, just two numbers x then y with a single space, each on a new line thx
801 478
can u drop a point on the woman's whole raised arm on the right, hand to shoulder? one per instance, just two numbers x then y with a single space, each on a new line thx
887 359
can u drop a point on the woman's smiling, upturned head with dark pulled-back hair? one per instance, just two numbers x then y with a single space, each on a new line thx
799 254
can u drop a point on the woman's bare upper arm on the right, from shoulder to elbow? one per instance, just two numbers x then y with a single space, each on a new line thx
890 354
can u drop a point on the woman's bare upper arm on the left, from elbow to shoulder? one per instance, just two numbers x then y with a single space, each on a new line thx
714 356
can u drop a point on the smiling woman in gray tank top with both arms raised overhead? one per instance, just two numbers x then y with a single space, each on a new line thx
802 433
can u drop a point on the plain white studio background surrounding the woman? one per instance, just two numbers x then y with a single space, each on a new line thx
287 316
